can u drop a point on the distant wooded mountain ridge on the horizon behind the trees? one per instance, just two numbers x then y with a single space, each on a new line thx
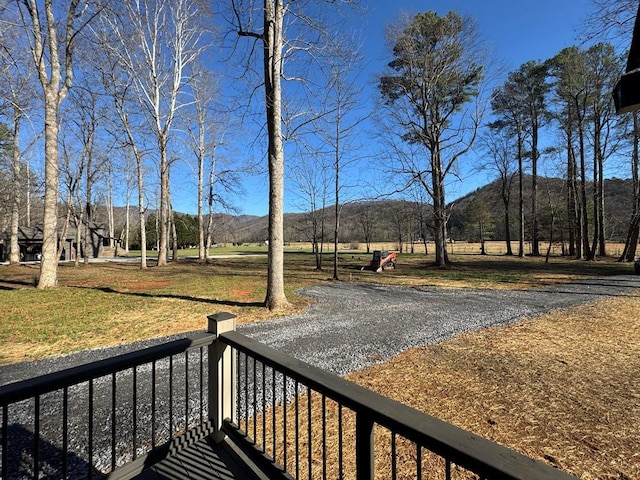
402 220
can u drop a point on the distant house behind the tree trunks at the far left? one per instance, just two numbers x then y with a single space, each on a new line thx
30 243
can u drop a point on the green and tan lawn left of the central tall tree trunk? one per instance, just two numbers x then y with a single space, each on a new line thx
109 304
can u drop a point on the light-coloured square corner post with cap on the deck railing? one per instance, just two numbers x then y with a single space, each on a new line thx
222 369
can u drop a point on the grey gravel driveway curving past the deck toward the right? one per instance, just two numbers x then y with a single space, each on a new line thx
354 325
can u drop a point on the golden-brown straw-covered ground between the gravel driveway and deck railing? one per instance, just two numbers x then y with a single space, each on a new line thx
563 388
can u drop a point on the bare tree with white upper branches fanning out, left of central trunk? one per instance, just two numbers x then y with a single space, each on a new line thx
161 39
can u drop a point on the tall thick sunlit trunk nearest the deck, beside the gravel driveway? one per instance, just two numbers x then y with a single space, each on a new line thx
273 44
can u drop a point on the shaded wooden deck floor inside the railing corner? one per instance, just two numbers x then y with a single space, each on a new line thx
202 460
